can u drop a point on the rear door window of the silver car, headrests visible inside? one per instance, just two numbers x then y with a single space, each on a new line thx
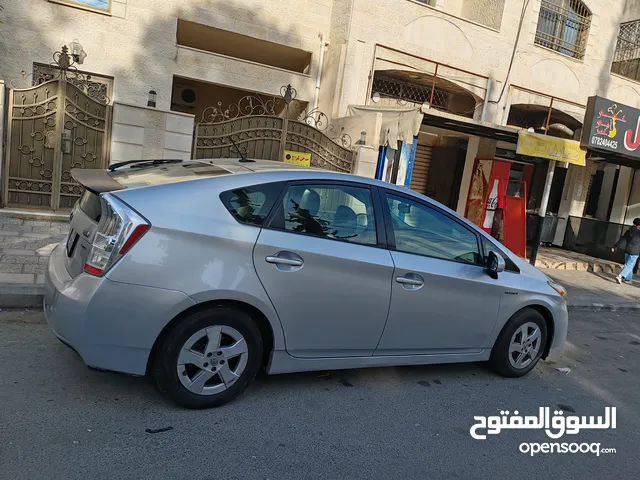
336 212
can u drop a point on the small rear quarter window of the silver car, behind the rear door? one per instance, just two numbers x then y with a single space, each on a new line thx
251 204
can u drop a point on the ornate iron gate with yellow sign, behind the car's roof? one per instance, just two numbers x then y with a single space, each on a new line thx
259 132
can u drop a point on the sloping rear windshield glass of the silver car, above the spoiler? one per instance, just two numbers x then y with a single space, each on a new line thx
143 176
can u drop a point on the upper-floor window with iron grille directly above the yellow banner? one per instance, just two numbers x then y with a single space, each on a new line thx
563 26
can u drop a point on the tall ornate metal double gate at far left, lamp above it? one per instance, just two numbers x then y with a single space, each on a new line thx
54 126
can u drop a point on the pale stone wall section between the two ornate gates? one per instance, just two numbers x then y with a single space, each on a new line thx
148 133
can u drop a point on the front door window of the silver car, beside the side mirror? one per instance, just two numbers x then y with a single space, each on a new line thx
425 231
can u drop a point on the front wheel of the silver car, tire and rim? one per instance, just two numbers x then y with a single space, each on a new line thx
525 320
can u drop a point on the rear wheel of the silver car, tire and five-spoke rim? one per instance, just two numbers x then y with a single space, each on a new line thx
182 360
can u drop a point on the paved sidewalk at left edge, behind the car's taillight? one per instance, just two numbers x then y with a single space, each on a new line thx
25 246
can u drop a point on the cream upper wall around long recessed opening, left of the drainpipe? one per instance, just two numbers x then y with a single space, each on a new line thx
136 44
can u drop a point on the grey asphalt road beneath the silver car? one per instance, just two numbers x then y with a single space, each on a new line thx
60 420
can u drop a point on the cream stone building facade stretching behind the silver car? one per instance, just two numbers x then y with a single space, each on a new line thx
478 71
